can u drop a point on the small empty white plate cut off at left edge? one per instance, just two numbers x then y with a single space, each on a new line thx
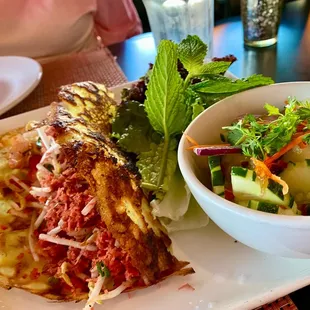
18 78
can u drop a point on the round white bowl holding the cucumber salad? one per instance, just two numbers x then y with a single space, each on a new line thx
281 235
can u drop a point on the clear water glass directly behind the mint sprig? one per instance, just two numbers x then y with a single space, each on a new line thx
175 19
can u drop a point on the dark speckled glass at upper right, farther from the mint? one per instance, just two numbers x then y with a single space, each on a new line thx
261 19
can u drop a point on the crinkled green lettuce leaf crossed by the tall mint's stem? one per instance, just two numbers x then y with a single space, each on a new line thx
157 166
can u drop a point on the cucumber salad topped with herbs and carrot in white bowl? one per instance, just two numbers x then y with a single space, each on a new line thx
264 160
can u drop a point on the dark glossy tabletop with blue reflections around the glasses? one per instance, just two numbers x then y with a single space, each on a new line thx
288 60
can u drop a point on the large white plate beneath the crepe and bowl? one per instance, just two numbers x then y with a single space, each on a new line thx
229 275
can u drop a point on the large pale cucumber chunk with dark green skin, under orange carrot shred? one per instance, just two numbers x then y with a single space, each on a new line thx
247 186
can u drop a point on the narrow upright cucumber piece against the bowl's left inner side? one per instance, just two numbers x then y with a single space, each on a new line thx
217 176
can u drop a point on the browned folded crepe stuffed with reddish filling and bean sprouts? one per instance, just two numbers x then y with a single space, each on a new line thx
74 222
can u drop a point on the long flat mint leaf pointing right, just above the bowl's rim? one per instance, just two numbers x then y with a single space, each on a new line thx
223 85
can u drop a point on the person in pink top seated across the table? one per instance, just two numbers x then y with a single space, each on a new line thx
47 29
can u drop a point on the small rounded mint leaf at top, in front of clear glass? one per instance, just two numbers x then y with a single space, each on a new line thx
191 52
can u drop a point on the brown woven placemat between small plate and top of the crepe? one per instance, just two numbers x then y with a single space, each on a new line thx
98 66
